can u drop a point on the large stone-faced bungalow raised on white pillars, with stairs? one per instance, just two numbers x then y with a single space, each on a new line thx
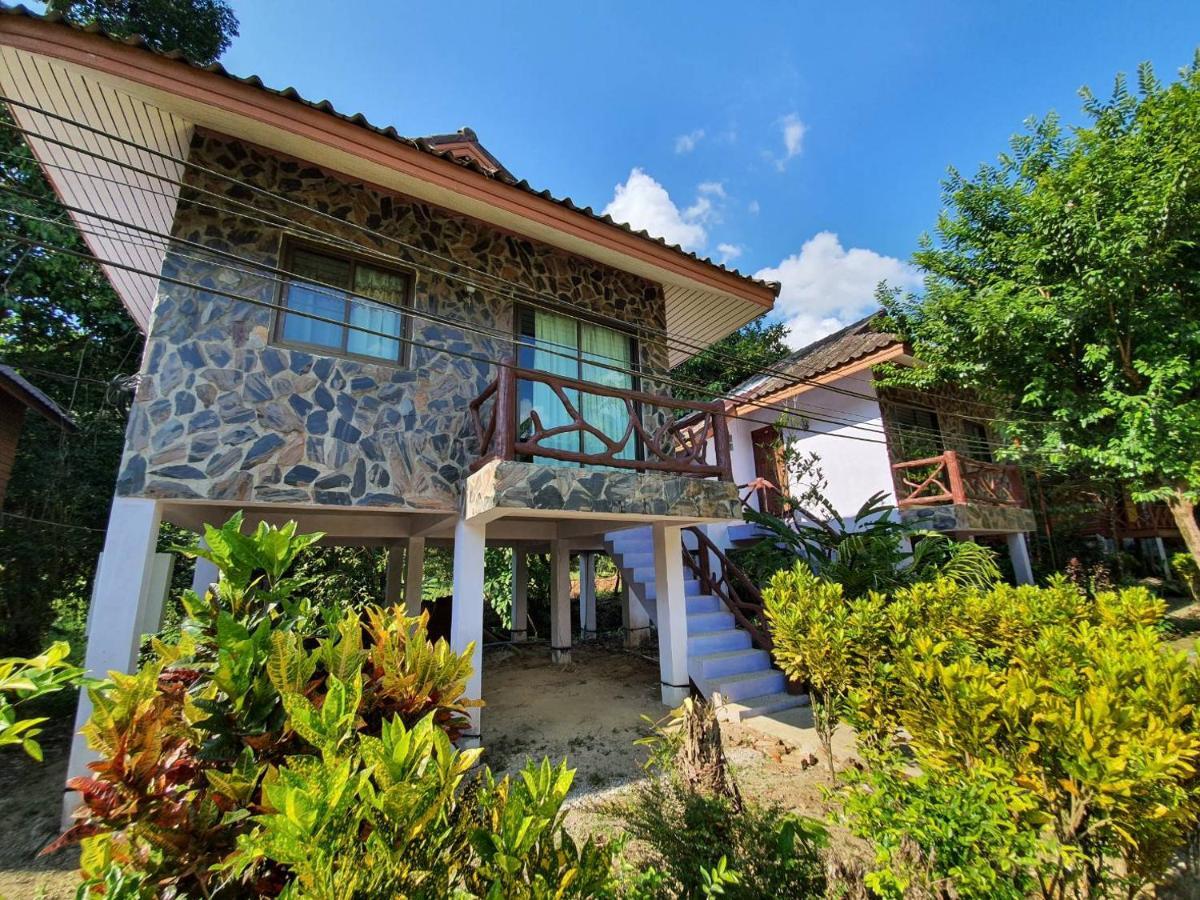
388 340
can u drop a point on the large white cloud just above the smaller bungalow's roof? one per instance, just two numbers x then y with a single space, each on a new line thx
826 287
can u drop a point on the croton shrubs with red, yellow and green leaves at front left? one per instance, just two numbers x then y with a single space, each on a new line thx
279 748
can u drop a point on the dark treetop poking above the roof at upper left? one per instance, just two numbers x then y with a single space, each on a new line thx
201 29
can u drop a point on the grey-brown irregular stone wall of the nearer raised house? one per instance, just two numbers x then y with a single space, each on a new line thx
223 415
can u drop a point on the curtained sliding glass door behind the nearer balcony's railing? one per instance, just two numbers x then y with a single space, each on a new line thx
579 351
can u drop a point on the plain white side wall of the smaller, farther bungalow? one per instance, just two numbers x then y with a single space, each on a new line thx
850 443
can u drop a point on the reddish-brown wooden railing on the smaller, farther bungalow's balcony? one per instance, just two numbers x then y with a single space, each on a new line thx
952 478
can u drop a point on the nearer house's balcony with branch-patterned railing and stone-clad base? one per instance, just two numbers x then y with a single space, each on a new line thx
556 446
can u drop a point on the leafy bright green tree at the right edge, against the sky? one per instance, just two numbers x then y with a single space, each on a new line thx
1066 279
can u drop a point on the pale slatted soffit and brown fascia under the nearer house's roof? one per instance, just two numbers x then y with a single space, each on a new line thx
164 123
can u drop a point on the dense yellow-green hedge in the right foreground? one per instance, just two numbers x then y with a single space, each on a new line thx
1066 709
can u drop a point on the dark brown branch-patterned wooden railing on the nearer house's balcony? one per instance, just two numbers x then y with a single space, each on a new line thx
677 448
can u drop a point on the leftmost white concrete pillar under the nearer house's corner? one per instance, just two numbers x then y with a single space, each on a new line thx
121 597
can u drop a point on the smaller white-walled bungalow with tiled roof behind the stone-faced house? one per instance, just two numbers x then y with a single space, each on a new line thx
931 453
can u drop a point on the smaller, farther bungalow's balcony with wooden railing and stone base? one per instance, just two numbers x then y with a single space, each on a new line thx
983 496
